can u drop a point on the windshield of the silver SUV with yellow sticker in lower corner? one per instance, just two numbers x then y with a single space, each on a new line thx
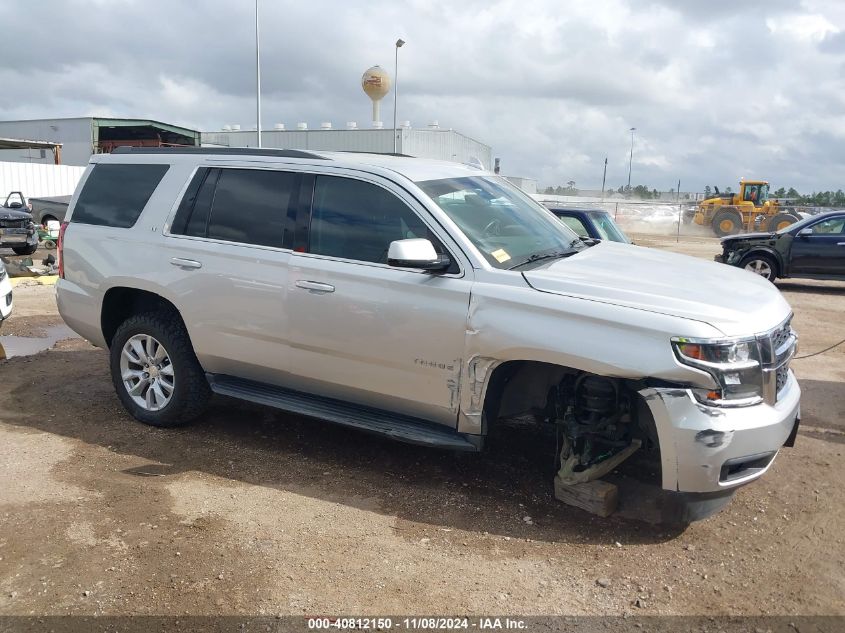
504 224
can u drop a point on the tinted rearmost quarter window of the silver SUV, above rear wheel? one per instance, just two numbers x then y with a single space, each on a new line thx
115 195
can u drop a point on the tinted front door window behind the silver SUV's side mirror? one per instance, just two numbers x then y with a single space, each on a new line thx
357 220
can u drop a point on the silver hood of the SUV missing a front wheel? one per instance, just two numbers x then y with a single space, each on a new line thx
730 299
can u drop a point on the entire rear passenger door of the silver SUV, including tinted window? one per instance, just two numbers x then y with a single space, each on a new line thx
231 271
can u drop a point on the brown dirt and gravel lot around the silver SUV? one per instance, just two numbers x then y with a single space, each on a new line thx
255 512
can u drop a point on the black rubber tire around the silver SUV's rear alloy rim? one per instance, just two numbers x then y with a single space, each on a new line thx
190 393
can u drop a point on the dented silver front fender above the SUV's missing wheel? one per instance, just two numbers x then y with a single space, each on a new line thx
521 324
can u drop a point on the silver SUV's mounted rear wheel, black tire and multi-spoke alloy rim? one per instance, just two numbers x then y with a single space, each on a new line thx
155 372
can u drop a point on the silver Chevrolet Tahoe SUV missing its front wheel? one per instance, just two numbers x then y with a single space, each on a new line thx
427 301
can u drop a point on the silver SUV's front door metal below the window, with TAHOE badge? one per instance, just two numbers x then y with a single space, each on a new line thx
385 337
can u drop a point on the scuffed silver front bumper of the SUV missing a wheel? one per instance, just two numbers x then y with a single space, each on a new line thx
706 449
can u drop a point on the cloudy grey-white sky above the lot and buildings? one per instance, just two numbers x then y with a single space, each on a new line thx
717 89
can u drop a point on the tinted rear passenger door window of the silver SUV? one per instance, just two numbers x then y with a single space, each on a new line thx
249 206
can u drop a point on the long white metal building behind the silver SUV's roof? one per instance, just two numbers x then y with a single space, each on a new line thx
431 142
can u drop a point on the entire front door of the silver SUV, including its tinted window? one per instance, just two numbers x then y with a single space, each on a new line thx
366 332
